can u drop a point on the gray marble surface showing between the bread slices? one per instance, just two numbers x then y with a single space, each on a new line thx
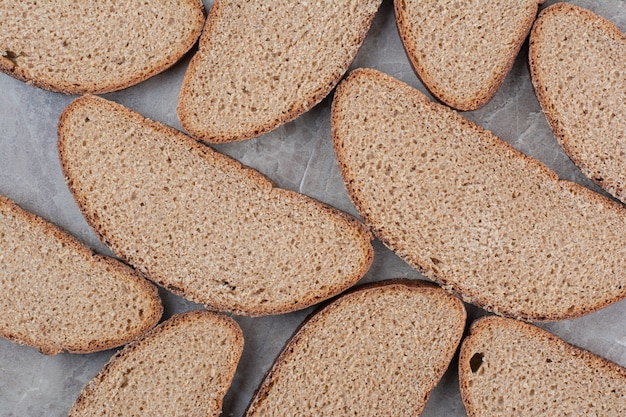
297 156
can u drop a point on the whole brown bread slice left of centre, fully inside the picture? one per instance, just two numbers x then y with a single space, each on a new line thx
200 223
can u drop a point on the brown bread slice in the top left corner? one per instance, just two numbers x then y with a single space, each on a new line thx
94 46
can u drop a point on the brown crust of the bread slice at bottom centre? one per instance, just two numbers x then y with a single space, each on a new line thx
327 308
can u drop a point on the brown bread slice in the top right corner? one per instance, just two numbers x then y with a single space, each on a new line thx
577 61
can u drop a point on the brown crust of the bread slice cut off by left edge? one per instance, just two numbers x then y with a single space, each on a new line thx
150 319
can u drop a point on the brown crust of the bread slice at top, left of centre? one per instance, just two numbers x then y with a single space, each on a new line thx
307 102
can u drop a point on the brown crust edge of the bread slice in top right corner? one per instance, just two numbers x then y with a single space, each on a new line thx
565 137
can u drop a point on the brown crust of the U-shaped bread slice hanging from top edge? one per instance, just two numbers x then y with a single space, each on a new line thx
453 98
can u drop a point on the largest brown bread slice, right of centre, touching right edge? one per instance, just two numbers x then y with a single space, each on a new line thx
469 211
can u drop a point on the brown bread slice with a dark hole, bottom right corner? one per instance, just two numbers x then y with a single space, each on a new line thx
510 368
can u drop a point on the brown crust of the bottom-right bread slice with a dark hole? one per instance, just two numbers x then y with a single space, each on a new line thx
529 331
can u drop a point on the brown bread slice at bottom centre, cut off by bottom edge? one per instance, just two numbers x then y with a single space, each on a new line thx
376 351
